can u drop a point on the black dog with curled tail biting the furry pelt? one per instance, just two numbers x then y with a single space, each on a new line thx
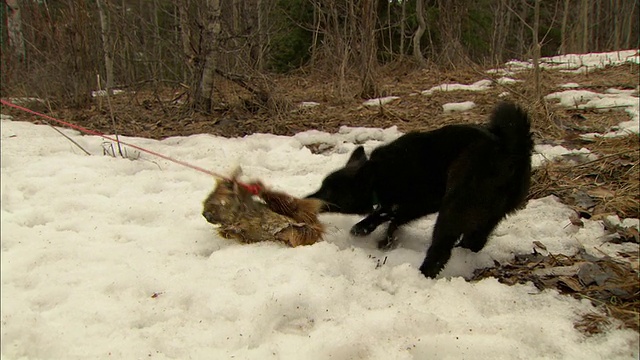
472 175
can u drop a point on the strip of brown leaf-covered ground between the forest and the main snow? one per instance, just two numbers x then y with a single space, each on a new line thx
140 112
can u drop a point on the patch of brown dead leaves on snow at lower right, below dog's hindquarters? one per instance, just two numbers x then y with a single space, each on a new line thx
611 285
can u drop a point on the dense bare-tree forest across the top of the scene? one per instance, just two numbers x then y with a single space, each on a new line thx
229 57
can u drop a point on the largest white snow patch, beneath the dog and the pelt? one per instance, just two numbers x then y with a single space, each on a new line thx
105 257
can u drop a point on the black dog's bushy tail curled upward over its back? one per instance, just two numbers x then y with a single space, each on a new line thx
511 124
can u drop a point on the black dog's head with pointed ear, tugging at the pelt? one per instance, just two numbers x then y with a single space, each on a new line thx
348 190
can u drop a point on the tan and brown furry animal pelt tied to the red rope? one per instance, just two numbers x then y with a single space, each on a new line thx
267 216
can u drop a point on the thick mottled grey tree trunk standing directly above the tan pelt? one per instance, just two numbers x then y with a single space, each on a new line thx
209 57
